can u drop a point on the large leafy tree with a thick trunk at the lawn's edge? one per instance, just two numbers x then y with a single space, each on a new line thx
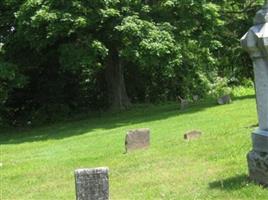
98 34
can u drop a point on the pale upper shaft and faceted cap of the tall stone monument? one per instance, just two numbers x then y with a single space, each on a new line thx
255 42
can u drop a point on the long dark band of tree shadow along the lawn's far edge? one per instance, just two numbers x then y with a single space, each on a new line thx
139 114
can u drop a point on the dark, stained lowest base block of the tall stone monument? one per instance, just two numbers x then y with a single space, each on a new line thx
258 167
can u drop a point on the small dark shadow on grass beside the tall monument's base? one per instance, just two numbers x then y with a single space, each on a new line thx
232 183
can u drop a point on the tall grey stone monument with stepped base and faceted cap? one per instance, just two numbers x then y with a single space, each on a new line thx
255 42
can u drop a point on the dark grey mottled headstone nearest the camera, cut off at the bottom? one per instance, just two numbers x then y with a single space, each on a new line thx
92 184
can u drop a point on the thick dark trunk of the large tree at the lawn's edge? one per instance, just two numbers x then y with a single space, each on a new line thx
114 75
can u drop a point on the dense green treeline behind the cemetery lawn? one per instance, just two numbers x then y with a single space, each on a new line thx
59 57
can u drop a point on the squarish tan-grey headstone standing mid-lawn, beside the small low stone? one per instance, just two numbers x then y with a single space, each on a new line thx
137 139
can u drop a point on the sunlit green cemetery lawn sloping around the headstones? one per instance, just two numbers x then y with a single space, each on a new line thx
39 163
